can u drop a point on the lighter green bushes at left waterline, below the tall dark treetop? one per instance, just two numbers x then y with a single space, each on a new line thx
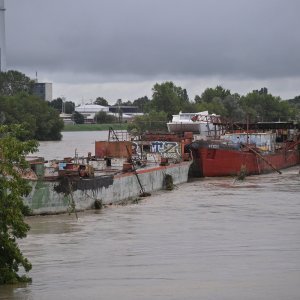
41 121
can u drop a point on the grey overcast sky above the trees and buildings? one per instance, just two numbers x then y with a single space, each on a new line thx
121 48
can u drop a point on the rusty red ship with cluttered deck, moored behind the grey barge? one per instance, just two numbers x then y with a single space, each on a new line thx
250 151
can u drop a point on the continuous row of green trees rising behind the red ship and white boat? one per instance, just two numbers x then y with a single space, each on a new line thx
258 105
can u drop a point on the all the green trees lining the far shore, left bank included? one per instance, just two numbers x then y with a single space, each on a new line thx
41 118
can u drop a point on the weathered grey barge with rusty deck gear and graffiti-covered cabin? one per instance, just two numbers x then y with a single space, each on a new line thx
119 172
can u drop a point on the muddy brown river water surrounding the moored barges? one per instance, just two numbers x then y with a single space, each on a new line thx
211 238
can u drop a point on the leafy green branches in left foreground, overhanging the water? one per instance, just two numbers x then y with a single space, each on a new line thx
12 189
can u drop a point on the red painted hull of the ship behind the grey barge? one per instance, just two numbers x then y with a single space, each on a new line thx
211 161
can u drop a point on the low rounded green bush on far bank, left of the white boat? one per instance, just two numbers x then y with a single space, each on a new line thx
154 121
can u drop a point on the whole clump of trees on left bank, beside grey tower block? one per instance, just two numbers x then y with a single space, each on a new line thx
18 105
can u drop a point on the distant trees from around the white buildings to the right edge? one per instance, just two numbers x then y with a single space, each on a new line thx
170 99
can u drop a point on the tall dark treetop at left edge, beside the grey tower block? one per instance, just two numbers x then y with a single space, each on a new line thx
14 82
